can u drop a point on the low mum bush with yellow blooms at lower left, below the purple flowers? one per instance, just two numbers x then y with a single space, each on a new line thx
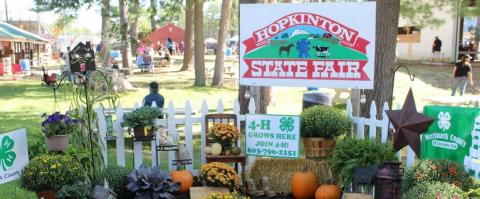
51 172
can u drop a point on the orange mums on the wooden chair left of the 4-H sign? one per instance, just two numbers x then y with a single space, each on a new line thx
225 135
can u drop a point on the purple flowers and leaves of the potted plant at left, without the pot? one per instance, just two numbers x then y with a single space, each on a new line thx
58 124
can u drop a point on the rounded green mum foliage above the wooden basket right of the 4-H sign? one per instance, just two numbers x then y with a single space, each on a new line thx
324 121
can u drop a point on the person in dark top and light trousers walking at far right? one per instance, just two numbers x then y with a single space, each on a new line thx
462 72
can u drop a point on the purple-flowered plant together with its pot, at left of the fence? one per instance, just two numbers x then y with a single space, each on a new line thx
56 128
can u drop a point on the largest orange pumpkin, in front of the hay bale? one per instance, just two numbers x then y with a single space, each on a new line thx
304 184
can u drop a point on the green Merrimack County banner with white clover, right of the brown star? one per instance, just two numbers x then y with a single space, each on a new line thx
455 135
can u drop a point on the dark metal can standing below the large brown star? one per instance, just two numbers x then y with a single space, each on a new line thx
389 181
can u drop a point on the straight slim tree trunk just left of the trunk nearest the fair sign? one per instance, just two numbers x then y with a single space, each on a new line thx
199 45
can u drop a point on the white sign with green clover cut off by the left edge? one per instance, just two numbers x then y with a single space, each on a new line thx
13 154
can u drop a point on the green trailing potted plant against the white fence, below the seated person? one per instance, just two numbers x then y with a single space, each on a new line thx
142 121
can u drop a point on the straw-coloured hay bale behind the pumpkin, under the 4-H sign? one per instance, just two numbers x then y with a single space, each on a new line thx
279 171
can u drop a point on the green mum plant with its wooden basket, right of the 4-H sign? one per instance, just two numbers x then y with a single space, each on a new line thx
320 125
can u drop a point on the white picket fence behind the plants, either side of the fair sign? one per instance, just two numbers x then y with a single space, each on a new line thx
190 118
